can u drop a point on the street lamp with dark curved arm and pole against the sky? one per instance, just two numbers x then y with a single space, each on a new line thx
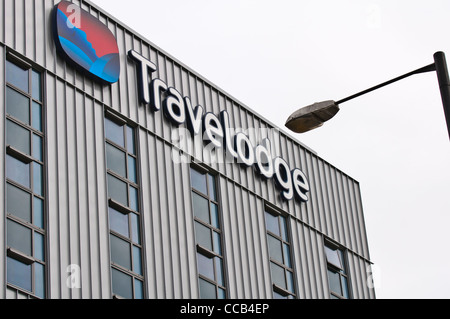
313 116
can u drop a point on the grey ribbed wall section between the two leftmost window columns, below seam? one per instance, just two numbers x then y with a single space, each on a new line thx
78 229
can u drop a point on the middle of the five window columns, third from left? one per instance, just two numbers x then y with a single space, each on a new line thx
208 233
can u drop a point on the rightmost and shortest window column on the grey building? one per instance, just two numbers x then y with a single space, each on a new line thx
337 272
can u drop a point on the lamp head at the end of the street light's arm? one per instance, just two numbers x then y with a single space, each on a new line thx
312 116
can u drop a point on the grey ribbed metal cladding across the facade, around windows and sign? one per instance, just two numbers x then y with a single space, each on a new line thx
78 230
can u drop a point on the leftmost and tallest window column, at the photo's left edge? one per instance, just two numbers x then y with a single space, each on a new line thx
25 198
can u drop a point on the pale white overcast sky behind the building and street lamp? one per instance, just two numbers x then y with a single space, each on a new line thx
277 56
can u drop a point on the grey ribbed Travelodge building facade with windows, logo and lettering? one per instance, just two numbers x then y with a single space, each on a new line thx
125 174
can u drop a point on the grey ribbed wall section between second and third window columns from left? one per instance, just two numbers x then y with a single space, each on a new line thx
168 222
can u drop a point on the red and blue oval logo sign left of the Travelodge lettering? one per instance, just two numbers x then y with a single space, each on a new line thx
86 42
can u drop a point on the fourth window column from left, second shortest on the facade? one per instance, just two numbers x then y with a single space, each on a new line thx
280 256
